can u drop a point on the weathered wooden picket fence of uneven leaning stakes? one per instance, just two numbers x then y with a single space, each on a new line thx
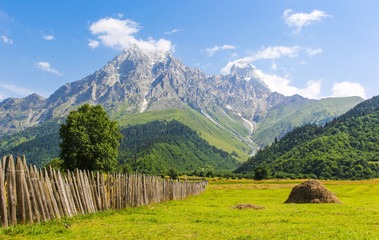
32 195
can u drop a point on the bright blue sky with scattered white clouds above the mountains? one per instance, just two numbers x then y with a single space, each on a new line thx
316 49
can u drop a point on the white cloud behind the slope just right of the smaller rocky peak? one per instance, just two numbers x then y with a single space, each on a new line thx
282 85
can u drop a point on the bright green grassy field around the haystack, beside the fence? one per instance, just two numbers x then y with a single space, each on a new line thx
209 216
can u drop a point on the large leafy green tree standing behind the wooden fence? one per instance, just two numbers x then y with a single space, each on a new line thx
89 139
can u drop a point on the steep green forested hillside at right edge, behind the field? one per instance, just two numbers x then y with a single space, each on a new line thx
346 147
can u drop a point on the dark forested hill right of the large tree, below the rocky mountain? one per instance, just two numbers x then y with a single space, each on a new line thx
159 145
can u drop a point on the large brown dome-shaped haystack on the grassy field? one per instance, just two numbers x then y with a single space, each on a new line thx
311 191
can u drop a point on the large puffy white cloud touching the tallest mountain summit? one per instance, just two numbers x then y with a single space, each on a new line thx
119 34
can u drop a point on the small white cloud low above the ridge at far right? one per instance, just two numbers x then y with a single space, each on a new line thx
347 89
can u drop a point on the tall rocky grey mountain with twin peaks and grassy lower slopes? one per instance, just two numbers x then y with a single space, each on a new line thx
136 84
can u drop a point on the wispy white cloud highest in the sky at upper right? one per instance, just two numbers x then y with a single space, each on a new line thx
299 20
